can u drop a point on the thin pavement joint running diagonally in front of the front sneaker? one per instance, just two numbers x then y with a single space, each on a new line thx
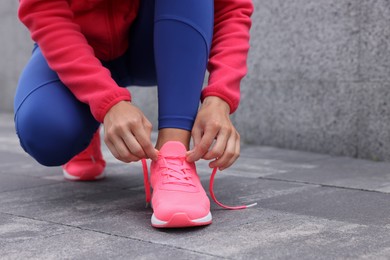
111 234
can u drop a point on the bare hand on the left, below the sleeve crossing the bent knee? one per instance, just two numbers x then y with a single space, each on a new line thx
127 133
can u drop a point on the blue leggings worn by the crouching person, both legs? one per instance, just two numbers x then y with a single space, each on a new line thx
169 47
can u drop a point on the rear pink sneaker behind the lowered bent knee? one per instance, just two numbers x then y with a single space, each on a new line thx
88 165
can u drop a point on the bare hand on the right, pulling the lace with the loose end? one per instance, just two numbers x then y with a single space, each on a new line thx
213 123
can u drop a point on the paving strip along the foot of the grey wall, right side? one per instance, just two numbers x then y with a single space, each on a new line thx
304 167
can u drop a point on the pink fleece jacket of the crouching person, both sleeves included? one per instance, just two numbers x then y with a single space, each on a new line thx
74 35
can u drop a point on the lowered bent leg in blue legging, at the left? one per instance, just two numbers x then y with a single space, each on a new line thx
51 123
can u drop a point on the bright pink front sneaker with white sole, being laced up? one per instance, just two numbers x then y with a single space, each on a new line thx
178 199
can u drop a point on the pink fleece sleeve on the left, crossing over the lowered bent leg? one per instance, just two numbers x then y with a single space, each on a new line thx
69 54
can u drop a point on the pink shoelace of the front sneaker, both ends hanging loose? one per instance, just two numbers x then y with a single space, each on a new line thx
177 173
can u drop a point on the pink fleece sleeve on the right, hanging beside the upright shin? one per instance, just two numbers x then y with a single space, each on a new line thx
229 50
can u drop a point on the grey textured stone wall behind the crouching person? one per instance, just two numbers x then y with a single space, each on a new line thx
319 75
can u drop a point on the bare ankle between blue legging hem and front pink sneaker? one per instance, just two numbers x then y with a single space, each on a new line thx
173 134
